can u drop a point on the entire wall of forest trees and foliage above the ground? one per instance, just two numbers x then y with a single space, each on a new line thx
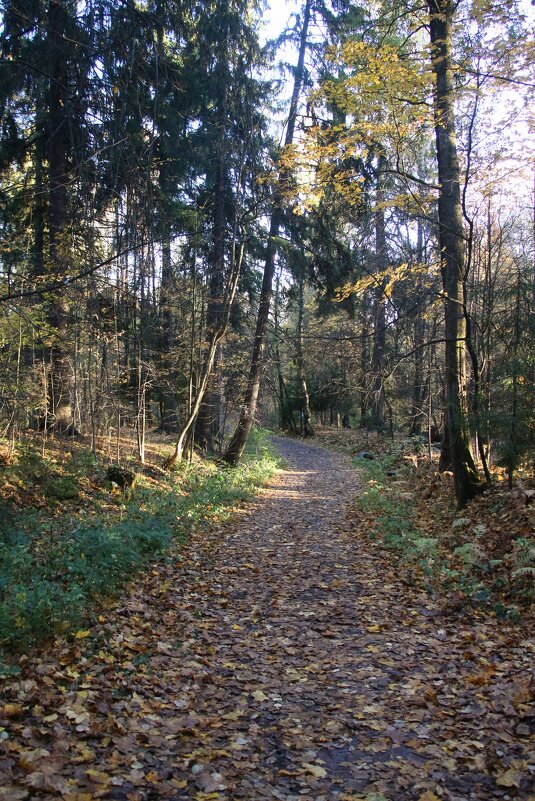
188 246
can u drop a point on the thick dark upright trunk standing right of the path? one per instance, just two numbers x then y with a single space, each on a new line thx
451 242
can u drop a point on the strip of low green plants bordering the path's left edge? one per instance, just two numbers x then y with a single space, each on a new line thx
52 571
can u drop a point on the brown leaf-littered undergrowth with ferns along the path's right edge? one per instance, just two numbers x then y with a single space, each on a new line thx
452 555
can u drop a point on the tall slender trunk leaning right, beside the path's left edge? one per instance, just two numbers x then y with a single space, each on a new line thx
237 444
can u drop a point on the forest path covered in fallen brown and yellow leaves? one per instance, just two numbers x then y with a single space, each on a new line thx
282 655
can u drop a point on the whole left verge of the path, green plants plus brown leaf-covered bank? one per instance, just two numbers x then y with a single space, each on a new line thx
79 542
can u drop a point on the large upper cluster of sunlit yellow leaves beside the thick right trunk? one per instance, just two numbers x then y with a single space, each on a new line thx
386 98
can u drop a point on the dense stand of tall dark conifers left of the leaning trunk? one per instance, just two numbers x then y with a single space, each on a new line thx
130 162
